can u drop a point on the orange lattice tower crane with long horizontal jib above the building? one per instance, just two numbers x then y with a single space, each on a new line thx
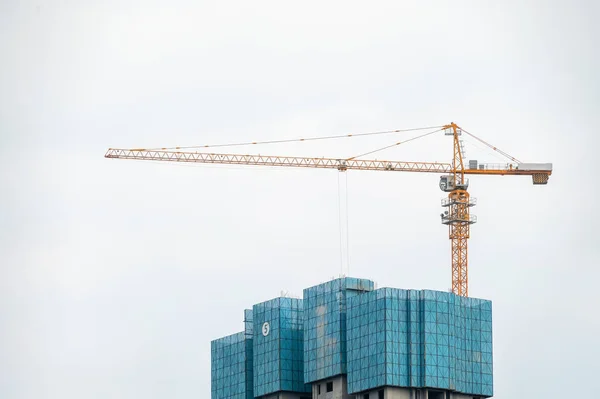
457 205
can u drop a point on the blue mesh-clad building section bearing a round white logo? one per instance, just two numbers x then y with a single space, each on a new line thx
278 347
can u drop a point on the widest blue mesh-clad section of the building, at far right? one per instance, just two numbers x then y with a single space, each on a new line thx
419 339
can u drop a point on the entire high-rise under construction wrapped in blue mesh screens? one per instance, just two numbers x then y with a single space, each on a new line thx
346 339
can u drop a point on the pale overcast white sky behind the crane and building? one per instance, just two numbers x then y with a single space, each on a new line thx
115 275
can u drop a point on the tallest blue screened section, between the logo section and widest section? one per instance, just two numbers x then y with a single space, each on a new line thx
325 326
